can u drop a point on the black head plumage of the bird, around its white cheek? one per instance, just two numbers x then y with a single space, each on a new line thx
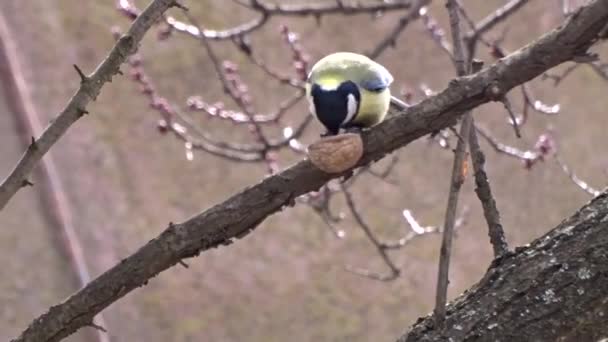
331 106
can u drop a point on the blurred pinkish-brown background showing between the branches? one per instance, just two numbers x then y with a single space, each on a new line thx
285 281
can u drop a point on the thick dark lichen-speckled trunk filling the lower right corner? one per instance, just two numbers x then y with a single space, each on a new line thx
555 289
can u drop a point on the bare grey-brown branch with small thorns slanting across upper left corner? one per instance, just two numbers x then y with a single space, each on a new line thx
90 87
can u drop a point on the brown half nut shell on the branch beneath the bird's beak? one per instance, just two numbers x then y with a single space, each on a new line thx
337 153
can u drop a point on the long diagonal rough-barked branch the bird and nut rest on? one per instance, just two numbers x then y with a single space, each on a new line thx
242 212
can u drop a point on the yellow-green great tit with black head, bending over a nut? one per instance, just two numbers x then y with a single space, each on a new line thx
348 90
